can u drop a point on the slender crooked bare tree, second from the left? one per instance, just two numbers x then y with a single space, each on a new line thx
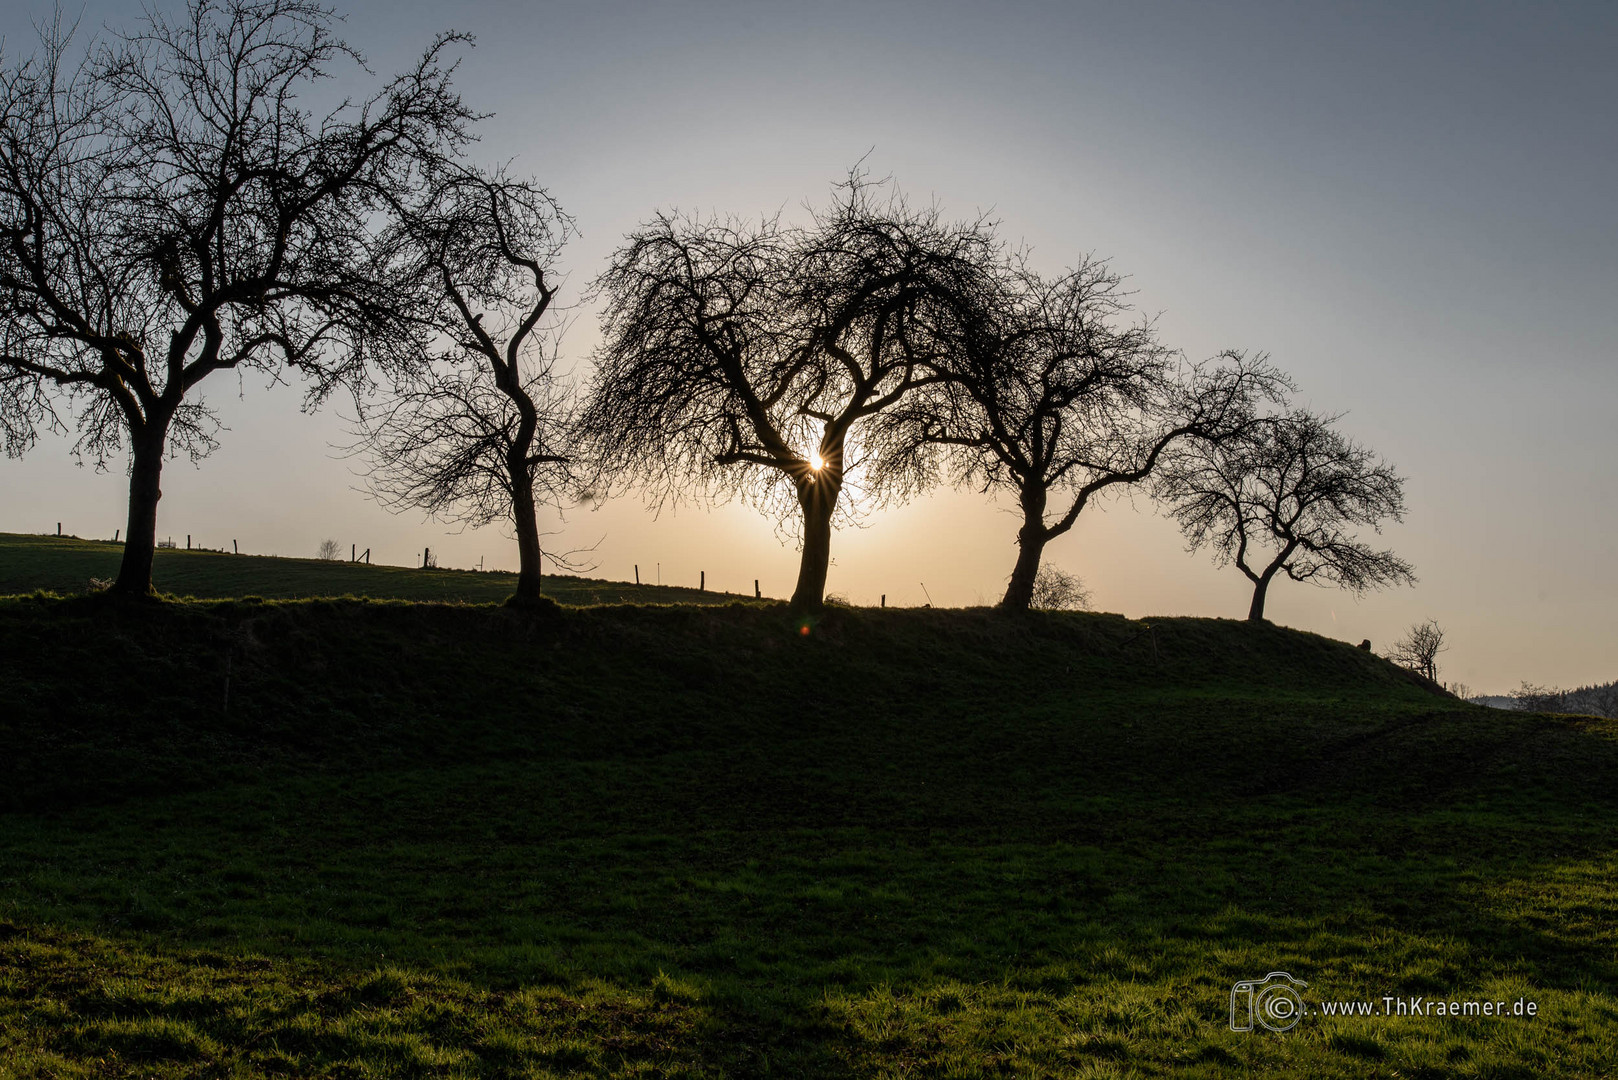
480 436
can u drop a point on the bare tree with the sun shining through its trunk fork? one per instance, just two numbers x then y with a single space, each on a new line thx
747 360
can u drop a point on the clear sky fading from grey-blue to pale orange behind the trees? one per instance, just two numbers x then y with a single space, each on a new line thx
1408 206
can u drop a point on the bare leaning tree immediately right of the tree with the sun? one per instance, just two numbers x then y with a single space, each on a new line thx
1046 394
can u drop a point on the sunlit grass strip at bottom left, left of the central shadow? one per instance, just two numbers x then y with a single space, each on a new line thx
82 1006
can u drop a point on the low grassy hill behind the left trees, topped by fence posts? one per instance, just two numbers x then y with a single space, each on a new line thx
67 564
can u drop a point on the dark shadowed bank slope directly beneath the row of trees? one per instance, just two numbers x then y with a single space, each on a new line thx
159 692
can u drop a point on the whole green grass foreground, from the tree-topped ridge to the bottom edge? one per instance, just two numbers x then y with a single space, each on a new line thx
397 840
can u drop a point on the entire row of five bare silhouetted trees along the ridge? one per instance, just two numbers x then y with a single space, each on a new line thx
171 208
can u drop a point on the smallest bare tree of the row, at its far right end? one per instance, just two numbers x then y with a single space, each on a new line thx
1284 496
